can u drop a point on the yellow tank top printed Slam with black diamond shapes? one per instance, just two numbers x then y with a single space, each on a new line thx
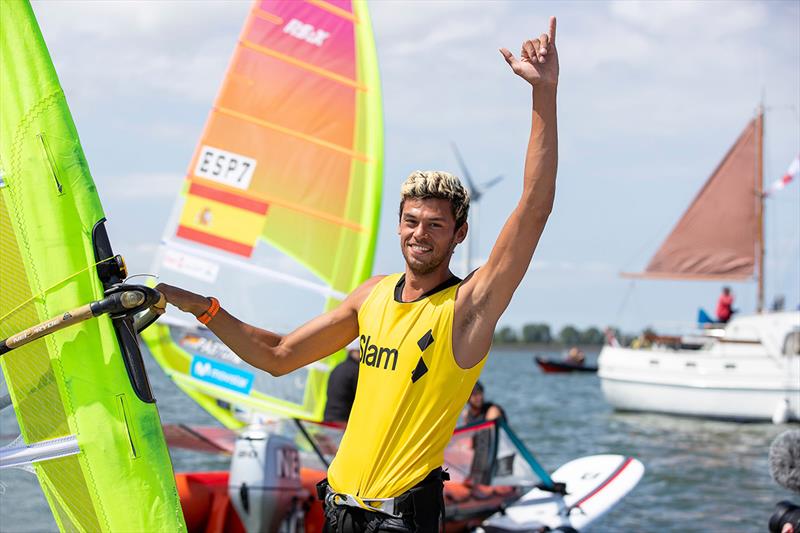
409 396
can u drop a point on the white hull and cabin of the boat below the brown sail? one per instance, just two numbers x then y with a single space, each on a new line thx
746 373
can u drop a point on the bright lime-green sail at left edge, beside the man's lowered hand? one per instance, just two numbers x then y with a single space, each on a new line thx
84 382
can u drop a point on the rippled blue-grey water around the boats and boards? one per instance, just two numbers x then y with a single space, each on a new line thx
700 475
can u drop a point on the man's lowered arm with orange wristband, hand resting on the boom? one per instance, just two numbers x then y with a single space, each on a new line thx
279 354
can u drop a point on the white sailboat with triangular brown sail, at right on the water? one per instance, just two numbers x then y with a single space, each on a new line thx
747 369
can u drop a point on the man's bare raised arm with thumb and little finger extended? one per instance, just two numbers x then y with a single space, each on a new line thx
485 294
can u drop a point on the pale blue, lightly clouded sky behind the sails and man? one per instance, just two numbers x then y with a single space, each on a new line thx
651 96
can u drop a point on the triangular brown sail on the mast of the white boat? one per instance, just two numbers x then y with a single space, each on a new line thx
719 235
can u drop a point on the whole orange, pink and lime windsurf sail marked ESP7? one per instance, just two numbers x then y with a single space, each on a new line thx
279 212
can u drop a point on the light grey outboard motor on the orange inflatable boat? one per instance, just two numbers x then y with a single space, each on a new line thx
264 484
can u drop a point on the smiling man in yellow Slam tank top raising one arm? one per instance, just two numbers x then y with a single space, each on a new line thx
424 335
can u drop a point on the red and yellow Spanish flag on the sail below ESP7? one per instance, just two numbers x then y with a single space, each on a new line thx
221 218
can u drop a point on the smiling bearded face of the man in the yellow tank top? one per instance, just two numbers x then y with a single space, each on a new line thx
428 234
